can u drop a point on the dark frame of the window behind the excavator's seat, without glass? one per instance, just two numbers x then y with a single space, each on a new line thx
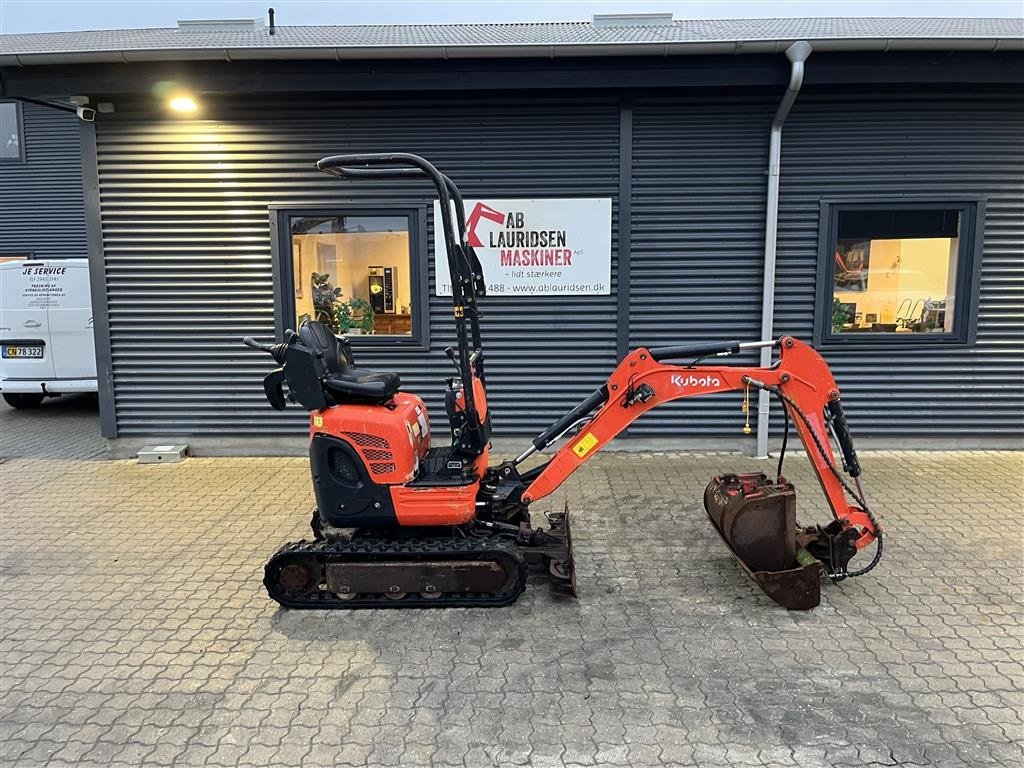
284 274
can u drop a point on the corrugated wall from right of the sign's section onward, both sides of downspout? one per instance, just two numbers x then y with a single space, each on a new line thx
699 200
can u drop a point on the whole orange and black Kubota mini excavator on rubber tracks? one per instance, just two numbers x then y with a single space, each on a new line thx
403 524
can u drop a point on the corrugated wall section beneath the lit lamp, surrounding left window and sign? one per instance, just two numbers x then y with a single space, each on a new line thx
188 252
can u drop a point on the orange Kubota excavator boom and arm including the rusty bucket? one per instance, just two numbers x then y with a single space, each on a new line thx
754 515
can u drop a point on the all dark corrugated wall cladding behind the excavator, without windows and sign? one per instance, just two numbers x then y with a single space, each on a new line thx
189 270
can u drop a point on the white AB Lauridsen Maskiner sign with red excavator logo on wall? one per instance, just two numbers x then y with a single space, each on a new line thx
557 247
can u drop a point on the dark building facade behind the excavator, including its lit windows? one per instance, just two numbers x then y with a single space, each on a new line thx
901 246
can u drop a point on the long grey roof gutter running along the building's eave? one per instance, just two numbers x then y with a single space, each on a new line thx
127 56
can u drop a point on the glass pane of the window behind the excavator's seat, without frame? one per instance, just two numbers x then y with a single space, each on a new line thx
354 273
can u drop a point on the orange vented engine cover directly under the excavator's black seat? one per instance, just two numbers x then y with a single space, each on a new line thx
392 441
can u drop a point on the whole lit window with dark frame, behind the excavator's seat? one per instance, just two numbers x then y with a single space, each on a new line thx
359 272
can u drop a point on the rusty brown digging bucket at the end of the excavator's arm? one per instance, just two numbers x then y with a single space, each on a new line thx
756 519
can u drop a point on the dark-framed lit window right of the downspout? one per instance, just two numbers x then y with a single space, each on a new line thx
898 272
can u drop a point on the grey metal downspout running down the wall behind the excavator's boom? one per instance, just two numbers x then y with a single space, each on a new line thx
797 54
